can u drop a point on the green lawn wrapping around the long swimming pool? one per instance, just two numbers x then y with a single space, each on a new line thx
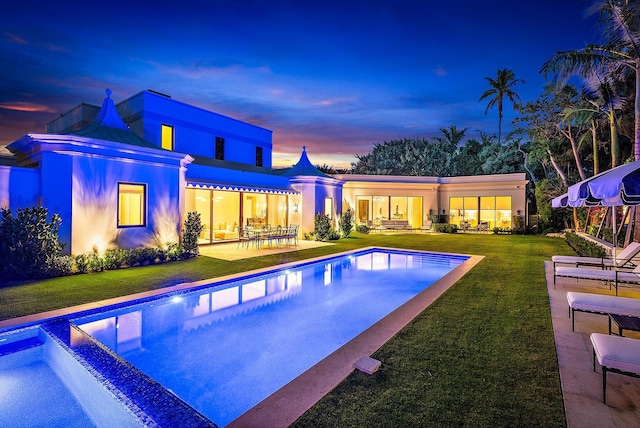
482 355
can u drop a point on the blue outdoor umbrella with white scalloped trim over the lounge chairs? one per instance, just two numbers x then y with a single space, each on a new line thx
619 186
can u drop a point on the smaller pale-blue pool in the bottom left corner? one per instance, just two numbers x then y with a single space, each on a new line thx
43 385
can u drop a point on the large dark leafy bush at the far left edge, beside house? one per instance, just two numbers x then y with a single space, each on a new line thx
29 244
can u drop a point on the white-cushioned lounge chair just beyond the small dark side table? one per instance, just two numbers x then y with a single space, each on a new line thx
601 304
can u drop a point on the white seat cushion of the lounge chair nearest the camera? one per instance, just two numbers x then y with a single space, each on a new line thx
616 352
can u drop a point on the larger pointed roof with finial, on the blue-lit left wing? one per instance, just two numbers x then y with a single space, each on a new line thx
110 127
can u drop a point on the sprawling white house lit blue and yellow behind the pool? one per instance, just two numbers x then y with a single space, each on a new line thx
125 175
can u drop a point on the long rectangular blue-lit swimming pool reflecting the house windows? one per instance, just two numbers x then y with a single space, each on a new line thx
224 347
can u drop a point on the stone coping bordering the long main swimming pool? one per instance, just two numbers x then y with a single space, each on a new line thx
284 406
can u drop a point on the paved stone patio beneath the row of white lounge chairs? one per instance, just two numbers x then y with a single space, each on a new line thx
581 386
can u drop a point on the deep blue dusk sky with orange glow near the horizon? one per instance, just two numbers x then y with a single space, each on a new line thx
334 76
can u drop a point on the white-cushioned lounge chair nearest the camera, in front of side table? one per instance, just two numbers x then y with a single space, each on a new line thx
615 354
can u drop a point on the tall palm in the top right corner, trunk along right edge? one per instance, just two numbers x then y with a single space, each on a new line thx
619 56
